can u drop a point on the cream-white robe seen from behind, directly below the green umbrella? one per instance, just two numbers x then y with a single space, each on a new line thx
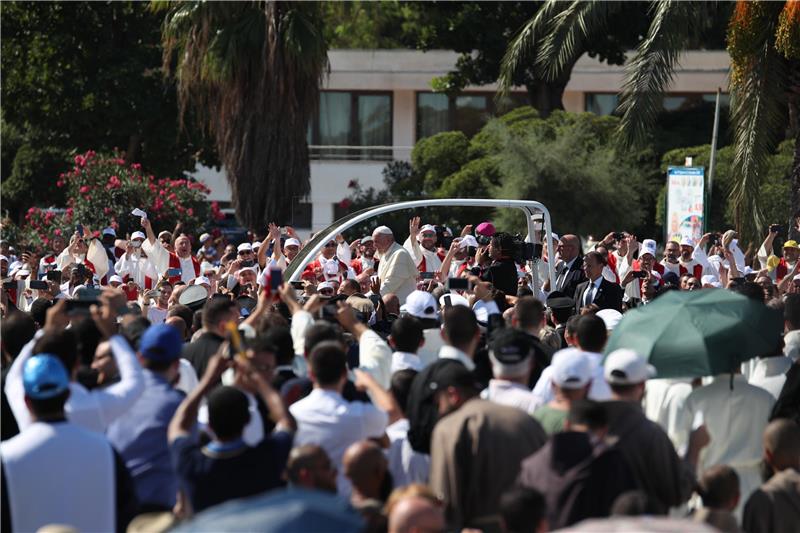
735 420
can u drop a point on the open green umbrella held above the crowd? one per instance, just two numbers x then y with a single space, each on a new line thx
686 334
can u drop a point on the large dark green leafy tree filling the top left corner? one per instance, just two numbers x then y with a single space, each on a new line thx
79 76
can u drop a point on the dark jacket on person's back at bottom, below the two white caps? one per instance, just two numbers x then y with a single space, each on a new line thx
578 480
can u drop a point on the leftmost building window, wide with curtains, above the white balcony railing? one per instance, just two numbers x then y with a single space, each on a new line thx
352 125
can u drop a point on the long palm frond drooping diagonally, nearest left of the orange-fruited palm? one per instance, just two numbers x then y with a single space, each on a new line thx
650 72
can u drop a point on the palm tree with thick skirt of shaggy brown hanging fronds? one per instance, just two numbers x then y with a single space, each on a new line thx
250 71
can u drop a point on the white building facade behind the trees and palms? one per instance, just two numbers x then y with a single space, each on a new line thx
376 104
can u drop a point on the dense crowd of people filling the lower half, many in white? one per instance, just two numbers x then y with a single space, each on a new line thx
440 382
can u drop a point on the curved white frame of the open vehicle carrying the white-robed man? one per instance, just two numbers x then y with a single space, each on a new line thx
534 211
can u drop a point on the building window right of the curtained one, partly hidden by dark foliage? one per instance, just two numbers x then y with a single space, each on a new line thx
467 112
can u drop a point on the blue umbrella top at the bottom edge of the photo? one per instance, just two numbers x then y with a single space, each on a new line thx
284 511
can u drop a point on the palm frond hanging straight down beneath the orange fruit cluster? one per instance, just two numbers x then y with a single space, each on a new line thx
758 112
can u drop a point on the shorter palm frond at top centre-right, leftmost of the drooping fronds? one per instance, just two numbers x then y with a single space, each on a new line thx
568 30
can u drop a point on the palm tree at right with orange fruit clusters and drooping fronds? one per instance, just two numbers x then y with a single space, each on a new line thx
763 42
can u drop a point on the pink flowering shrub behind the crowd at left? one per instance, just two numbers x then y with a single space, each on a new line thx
102 190
